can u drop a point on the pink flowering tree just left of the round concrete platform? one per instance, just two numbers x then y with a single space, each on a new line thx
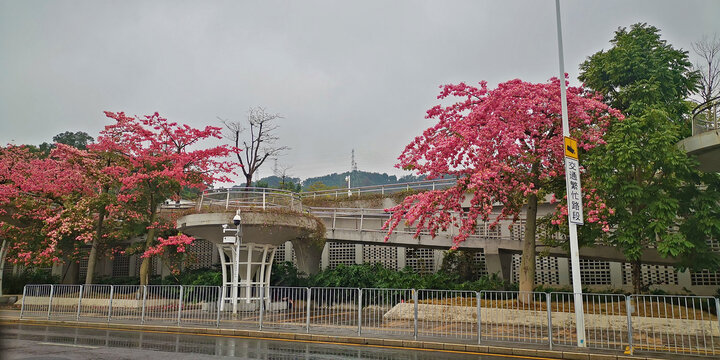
160 158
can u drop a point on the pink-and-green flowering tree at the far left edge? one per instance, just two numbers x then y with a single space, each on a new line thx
36 192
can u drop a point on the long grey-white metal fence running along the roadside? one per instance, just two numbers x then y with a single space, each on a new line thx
684 325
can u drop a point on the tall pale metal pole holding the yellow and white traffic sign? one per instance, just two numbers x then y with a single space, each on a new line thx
574 251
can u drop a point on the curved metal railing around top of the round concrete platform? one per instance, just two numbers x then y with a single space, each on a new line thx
246 198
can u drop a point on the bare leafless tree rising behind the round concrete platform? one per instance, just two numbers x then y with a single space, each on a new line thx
261 143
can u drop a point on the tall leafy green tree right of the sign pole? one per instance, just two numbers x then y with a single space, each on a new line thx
659 198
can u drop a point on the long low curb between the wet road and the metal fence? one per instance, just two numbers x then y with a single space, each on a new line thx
345 340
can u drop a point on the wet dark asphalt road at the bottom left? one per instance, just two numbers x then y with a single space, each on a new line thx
36 342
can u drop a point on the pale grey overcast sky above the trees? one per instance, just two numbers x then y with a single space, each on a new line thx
344 74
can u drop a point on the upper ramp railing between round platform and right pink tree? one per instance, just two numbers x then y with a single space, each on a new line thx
381 189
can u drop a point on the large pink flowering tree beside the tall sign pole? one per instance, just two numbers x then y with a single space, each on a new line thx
505 147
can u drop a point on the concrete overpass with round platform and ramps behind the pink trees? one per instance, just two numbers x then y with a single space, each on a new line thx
361 225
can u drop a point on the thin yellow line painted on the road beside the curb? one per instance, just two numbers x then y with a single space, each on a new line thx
290 340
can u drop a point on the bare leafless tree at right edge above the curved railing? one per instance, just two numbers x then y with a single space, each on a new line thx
708 50
